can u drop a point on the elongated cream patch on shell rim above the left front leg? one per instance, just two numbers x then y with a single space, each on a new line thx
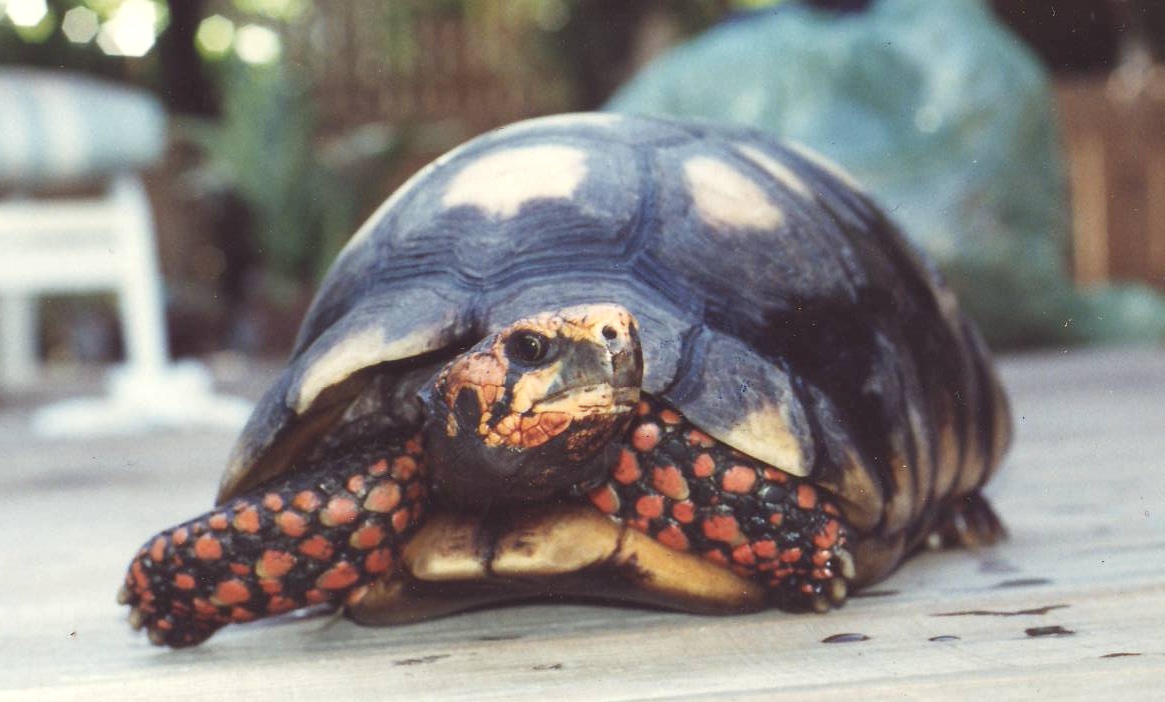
355 353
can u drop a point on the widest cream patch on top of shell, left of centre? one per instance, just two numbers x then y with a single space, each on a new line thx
499 185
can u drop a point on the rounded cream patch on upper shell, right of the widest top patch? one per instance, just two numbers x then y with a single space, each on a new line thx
729 200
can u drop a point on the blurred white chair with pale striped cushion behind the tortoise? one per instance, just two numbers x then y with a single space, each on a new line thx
76 246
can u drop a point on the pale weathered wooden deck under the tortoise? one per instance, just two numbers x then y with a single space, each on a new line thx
1072 607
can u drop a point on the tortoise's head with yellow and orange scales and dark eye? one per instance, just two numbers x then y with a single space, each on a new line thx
535 408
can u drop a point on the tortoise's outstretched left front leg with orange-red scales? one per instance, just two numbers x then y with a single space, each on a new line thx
317 537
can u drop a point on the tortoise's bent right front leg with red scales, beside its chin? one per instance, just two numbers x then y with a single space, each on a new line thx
694 494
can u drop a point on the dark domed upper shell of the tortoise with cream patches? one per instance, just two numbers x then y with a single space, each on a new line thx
779 308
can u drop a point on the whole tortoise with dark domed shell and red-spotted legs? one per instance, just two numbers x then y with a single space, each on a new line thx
604 358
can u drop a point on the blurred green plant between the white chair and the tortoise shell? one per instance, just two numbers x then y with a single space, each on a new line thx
303 196
